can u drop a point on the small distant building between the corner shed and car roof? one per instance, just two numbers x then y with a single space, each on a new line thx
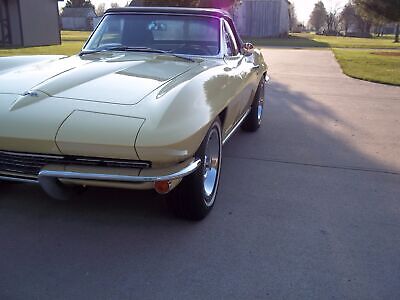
78 18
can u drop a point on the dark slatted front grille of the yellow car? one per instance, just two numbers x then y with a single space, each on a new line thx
29 165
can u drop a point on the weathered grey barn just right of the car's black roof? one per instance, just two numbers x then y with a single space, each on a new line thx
262 18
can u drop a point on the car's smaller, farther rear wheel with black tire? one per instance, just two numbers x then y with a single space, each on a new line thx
254 118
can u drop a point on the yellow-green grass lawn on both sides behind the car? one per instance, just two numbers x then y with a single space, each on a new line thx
362 64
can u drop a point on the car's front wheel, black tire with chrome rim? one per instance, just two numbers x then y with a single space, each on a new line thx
191 199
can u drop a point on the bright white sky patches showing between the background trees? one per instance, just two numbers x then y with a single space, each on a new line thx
303 7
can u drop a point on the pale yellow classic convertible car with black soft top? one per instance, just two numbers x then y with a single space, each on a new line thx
147 104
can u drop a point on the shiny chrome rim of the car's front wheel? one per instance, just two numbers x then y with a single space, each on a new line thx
212 159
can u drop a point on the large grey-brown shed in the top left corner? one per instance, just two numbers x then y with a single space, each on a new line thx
25 23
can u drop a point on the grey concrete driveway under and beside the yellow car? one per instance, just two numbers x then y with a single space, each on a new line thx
309 208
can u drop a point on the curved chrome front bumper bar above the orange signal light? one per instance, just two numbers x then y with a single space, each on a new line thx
119 178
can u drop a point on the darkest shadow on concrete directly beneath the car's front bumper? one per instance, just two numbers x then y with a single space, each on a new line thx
121 205
